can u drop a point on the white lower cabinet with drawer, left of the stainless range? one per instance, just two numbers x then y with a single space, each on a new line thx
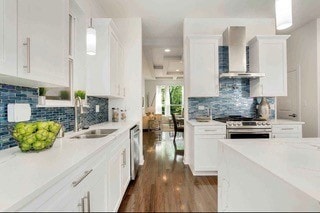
204 149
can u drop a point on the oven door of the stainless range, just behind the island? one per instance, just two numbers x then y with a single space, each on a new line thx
248 133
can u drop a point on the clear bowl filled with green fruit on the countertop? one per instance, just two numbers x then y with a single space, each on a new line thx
35 136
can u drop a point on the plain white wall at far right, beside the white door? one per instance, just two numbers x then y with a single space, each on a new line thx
302 51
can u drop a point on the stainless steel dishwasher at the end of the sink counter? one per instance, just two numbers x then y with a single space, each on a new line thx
135 150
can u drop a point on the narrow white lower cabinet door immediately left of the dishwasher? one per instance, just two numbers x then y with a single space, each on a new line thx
125 172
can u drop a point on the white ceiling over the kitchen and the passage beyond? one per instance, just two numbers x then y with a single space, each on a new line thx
162 20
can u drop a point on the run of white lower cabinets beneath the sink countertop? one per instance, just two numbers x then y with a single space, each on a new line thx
96 185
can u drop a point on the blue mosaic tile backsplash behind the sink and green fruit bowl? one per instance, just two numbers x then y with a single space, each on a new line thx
64 115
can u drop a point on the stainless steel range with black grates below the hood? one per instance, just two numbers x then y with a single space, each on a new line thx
239 127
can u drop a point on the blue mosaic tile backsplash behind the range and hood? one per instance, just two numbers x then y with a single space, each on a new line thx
234 98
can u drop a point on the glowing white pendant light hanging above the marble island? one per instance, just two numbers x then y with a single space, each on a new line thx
283 14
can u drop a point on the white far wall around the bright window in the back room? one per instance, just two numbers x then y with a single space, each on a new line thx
150 88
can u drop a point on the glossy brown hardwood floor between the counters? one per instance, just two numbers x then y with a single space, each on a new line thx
165 184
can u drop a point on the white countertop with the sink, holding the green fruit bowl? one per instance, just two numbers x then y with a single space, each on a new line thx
23 176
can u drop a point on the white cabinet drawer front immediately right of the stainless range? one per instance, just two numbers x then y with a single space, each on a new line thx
287 131
